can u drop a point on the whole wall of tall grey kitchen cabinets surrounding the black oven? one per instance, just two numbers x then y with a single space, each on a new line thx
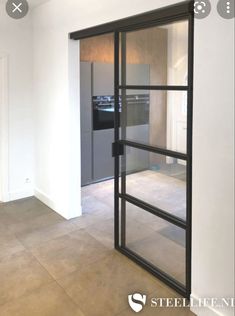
97 163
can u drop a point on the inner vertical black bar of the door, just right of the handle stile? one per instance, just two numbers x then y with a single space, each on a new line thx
123 136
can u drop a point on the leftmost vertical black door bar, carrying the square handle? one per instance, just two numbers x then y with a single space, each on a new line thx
116 138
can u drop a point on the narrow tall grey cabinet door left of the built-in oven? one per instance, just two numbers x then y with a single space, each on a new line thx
86 123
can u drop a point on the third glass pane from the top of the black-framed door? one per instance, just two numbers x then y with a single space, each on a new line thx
155 179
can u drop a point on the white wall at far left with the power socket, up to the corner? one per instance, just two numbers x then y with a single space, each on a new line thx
16 44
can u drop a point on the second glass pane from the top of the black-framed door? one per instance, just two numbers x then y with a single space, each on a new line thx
157 118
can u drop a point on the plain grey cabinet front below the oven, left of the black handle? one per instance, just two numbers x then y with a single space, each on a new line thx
103 161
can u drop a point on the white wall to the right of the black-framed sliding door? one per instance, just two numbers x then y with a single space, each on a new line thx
213 159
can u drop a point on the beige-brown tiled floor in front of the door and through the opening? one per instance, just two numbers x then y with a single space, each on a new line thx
53 267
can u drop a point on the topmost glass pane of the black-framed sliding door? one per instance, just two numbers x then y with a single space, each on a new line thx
157 55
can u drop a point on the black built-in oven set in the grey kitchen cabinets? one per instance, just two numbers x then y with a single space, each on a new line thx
103 110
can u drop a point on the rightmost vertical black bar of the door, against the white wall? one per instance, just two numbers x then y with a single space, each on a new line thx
189 153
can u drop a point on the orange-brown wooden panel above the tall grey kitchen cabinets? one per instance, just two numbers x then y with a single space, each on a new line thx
148 49
